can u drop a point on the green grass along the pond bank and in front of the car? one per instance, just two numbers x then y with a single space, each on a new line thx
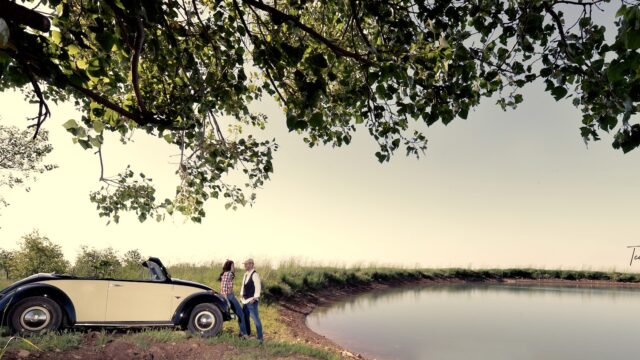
291 278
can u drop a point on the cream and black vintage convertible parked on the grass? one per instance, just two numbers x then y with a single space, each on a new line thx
50 301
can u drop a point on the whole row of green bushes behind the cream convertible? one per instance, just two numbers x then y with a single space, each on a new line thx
37 253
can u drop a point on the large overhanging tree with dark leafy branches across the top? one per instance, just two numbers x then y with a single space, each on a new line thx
182 70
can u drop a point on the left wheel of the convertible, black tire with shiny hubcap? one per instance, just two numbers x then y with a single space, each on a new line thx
35 315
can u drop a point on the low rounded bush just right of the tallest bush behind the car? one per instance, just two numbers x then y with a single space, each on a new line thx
98 263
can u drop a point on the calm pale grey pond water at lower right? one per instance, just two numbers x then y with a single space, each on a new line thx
486 322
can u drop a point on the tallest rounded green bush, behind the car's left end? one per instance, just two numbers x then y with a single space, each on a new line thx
36 254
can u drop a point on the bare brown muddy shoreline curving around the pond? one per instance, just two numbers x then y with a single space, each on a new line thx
294 310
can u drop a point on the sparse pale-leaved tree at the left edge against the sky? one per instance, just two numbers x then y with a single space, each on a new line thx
22 156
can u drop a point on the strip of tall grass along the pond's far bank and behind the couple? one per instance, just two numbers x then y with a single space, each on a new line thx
294 277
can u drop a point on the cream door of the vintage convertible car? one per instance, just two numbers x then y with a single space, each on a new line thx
139 302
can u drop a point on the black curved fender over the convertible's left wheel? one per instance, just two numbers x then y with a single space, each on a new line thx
36 289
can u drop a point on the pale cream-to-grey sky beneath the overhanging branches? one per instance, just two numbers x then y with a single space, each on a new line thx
516 188
